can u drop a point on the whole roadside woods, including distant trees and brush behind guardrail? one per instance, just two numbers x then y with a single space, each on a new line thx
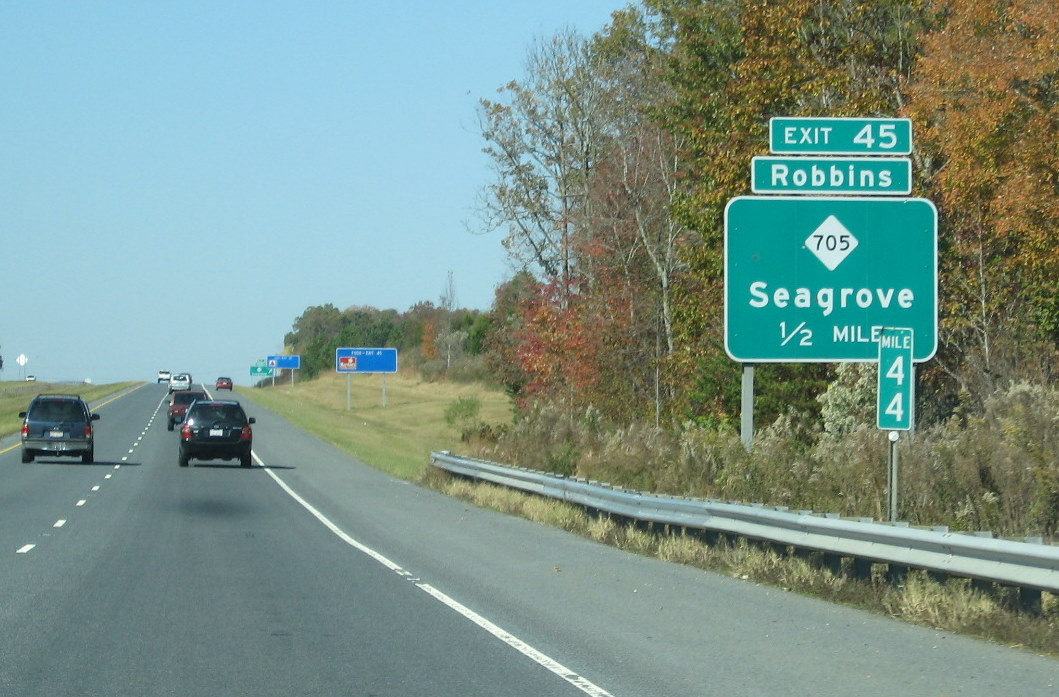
614 158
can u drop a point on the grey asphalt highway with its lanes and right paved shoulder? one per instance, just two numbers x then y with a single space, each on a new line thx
314 575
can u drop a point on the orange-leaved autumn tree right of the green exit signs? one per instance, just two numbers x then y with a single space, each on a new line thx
985 102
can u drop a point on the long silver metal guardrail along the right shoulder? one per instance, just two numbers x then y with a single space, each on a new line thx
1031 566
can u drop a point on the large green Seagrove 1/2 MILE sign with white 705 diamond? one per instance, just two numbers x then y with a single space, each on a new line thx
817 279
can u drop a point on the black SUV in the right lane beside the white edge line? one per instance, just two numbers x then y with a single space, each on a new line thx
217 430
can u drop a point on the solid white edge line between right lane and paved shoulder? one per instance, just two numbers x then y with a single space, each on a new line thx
582 684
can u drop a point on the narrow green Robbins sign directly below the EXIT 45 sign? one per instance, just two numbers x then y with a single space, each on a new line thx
802 175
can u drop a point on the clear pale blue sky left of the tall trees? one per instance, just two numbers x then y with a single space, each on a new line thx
181 181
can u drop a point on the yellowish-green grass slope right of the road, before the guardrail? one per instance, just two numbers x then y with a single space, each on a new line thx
398 438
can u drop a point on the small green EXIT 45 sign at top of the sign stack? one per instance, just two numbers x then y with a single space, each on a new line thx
840 136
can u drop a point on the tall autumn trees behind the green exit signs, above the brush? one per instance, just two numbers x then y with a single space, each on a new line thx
616 155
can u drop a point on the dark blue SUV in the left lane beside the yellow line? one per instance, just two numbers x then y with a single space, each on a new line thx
59 425
